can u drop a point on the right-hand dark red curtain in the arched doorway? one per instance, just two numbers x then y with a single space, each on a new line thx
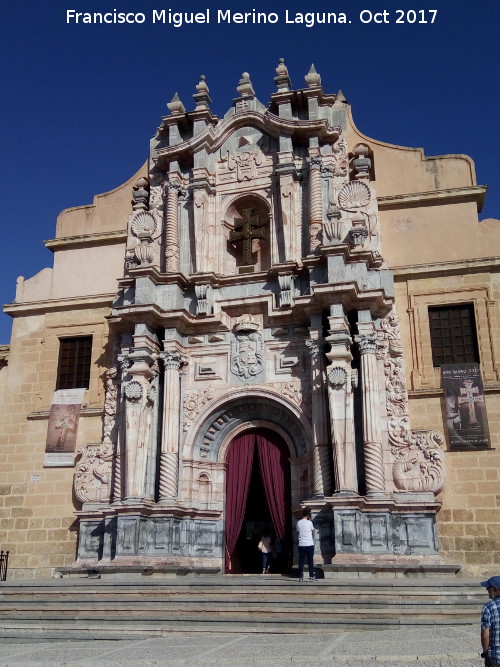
273 464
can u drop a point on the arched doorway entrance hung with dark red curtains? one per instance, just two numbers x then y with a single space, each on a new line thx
257 501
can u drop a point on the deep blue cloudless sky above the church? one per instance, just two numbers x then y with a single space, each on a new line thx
81 101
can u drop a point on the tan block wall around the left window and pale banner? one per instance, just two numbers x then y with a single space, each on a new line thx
37 517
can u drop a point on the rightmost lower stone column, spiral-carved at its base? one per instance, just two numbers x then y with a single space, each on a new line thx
372 427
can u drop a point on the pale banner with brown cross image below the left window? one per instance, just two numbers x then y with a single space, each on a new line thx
63 427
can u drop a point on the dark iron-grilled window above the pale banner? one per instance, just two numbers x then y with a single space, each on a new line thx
74 362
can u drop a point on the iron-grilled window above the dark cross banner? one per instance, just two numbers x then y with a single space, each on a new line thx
453 334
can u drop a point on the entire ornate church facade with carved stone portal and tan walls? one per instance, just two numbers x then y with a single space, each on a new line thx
274 312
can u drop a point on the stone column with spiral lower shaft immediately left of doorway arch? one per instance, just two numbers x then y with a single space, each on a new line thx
169 458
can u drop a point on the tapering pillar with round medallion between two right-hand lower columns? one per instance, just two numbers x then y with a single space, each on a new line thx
339 374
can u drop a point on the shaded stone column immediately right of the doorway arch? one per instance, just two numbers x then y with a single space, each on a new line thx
322 478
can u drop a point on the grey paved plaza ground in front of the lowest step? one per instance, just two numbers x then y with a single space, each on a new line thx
416 647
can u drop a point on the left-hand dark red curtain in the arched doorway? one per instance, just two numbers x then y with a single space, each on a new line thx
238 475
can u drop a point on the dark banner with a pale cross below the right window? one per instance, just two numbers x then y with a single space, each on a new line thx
465 406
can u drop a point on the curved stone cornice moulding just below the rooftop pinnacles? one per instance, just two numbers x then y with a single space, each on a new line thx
213 138
